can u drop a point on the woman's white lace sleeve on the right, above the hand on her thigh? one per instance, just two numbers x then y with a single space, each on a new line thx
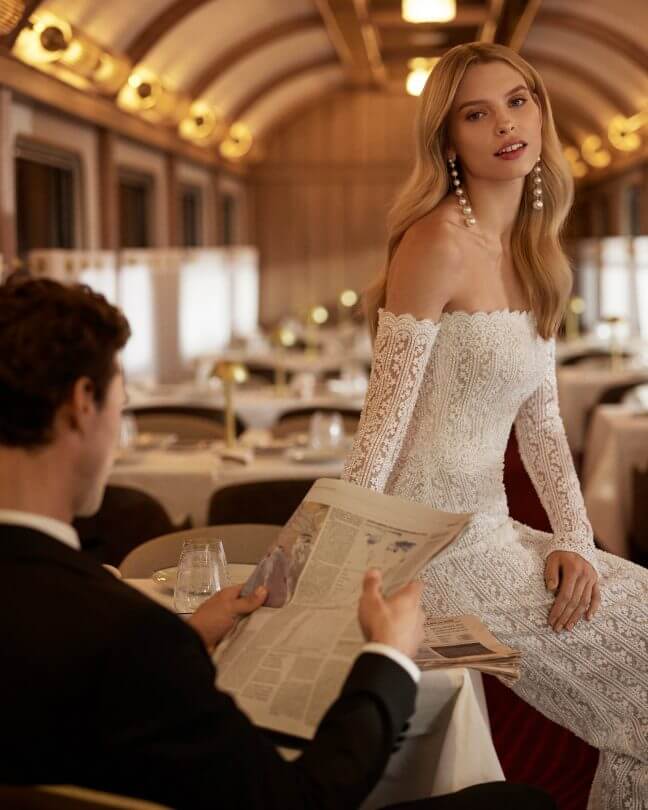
548 460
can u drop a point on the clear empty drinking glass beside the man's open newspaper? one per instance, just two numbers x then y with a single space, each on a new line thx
202 571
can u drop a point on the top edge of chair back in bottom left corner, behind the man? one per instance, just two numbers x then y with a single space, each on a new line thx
68 797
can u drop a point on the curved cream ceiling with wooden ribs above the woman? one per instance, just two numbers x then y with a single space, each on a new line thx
256 59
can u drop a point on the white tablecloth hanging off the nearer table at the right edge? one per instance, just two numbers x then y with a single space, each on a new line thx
616 443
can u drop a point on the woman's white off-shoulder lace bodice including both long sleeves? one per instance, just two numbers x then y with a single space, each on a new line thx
441 403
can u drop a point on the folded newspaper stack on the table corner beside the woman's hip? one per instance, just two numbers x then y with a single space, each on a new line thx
464 641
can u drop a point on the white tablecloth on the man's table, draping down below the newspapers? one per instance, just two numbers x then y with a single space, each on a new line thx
448 745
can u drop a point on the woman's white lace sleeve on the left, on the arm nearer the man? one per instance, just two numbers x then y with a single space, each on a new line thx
401 352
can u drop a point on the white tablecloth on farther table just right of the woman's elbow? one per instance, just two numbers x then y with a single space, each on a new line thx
579 389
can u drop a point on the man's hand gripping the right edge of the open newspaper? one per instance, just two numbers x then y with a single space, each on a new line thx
397 620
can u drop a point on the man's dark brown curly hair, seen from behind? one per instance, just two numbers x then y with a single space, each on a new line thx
51 335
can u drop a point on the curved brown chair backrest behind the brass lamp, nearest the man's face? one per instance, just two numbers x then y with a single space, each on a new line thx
186 421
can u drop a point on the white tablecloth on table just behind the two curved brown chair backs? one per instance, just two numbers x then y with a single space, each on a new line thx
259 408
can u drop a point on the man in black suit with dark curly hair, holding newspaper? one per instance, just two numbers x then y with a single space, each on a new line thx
102 687
